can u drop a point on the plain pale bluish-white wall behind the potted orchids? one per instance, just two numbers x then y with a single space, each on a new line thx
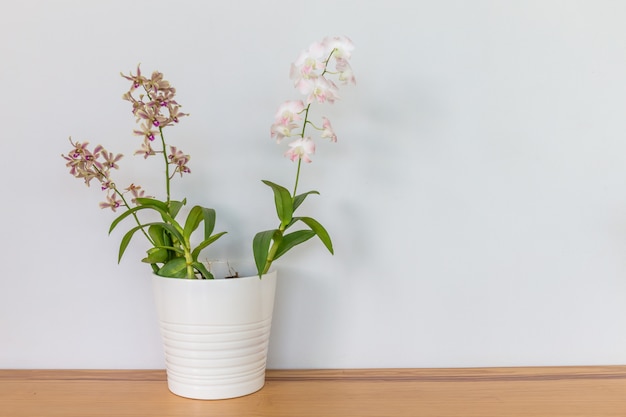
476 196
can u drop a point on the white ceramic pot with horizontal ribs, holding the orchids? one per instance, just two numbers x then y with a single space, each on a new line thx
215 334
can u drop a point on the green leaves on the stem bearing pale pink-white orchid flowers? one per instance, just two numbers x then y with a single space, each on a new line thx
269 245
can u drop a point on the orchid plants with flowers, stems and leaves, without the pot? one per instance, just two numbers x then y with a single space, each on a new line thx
154 105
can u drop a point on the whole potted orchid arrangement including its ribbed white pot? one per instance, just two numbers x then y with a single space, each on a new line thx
215 331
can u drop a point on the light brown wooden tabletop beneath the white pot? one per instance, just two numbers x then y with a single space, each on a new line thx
596 391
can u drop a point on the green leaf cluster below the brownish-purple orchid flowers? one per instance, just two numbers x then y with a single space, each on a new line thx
171 254
